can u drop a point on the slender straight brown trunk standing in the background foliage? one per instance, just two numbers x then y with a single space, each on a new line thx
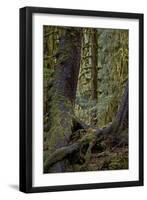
94 61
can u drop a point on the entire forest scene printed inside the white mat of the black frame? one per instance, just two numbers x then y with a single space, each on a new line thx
85 99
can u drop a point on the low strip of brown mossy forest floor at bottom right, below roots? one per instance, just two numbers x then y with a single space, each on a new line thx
106 160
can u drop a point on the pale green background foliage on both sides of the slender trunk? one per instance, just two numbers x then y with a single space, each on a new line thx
112 73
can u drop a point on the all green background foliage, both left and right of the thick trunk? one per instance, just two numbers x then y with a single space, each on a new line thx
112 72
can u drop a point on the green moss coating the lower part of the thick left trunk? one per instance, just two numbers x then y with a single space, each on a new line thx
61 121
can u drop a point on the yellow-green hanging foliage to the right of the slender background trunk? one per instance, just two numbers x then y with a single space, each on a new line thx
113 72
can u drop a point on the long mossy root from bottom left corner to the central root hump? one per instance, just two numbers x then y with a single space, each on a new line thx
90 139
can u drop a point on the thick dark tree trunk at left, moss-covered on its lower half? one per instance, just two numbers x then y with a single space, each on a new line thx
63 95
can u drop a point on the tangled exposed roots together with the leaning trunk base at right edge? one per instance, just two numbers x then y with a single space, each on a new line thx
85 139
